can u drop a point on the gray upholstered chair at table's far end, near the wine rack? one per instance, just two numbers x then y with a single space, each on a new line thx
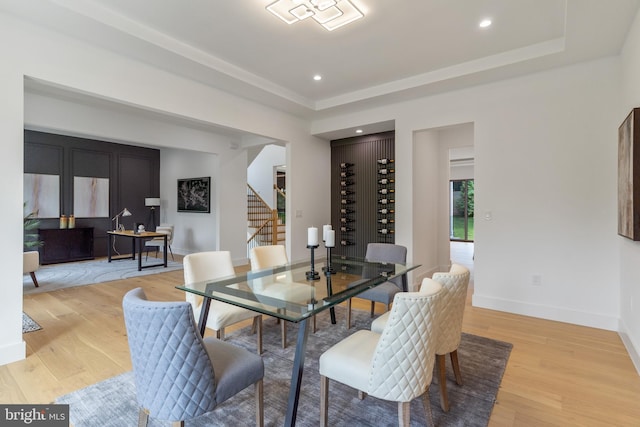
383 293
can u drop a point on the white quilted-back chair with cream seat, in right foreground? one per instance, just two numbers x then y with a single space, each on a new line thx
395 365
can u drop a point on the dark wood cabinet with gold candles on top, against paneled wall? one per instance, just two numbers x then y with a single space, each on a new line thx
65 244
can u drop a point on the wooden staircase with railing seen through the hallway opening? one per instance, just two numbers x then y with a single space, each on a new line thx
264 227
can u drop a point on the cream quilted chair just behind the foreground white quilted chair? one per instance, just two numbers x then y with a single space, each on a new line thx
455 283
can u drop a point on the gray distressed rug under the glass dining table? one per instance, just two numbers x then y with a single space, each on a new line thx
112 403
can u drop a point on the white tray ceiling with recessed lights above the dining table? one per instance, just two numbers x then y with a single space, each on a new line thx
399 50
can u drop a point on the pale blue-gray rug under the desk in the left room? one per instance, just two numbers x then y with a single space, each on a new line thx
66 275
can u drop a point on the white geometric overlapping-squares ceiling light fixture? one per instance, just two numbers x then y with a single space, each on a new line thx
331 14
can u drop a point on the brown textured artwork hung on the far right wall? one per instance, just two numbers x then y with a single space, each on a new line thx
629 176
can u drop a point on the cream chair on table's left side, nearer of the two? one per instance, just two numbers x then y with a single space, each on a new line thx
210 265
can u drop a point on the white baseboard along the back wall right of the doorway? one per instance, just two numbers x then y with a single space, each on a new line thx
559 314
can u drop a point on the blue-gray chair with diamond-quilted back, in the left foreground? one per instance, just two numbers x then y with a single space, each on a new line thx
178 374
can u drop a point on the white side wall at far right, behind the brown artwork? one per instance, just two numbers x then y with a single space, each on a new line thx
630 251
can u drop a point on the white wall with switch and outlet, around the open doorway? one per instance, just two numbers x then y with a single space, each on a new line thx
545 166
